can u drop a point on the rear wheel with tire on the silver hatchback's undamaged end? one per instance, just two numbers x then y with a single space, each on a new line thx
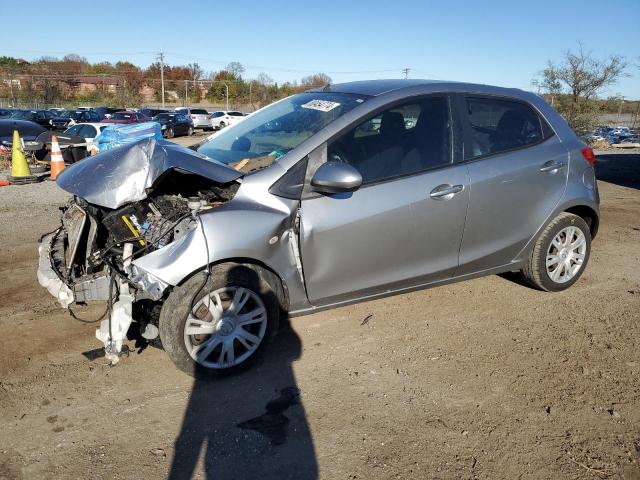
562 258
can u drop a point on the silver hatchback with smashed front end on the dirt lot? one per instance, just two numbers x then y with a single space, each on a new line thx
333 196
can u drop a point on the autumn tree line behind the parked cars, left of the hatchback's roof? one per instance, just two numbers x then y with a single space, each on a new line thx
55 81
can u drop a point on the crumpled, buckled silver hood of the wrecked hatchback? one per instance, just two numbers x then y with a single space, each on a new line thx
125 174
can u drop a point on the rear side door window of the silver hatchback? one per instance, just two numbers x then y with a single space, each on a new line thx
498 125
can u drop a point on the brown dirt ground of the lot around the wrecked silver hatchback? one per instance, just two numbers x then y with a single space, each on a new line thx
481 379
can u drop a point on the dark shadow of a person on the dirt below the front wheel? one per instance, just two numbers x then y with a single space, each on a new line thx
249 425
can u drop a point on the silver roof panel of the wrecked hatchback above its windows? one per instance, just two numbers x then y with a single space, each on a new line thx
374 88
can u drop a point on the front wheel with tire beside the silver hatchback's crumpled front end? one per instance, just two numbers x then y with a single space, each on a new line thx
262 290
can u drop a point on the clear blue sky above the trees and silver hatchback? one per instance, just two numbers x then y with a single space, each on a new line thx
502 42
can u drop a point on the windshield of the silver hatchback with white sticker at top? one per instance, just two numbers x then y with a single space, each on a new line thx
270 133
